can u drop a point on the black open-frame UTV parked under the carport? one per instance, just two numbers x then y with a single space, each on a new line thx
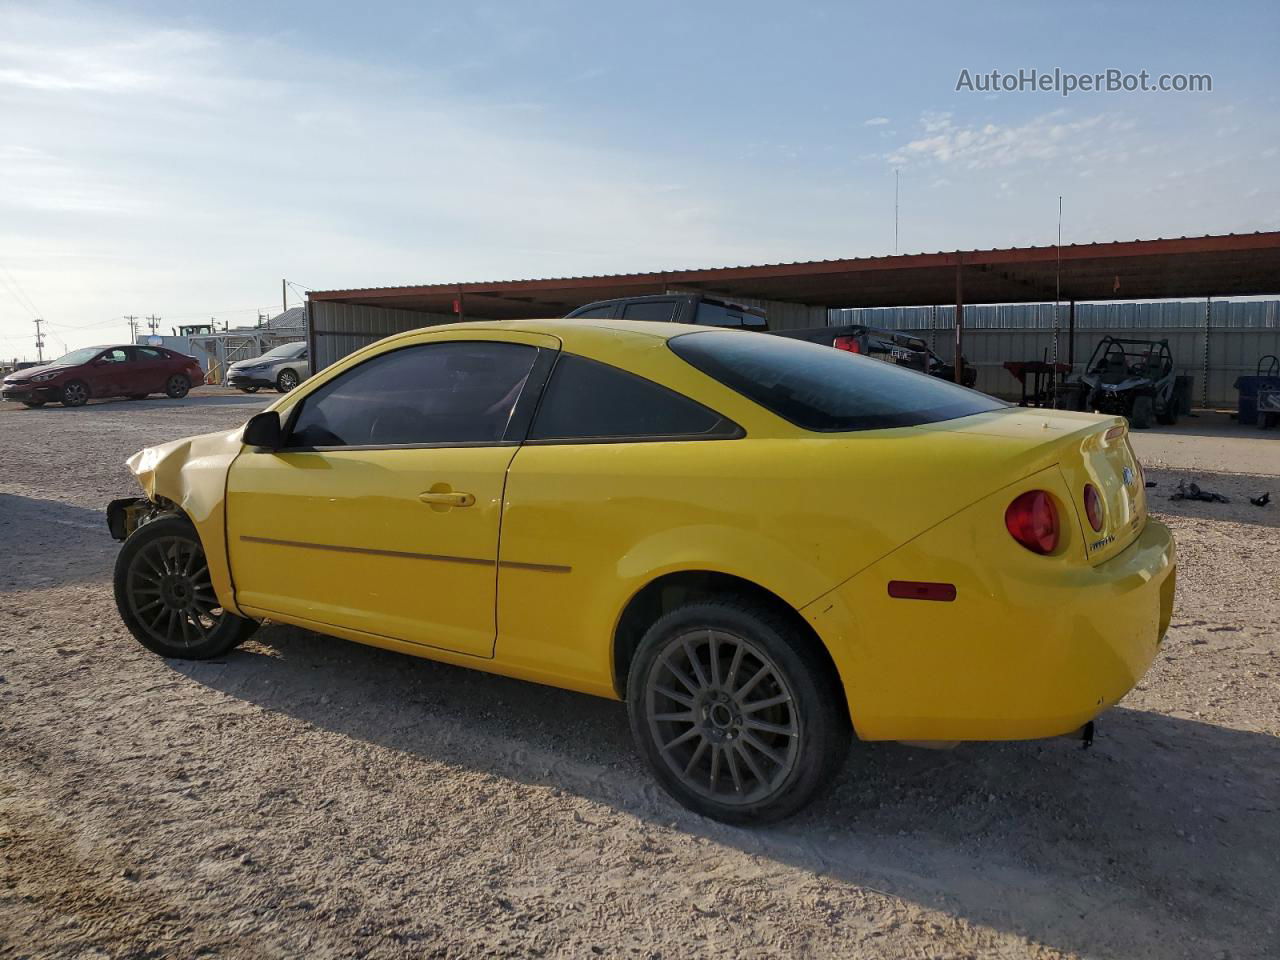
1135 380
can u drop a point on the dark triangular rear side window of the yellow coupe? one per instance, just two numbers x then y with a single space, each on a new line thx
591 401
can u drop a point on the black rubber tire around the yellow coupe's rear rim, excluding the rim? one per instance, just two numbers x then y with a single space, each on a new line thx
822 719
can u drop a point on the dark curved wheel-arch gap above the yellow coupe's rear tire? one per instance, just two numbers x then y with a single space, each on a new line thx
670 591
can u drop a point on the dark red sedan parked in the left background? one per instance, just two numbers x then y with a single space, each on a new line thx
104 372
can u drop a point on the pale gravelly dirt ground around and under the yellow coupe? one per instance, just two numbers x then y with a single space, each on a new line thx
310 797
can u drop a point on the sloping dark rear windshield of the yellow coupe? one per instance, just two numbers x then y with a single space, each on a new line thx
825 390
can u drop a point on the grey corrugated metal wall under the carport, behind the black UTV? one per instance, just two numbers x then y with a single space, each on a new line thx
1238 333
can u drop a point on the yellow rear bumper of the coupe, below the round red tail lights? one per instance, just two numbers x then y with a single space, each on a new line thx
1030 648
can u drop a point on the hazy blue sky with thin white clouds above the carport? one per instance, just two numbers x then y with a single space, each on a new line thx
180 159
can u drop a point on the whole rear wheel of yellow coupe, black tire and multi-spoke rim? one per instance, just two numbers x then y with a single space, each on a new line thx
689 721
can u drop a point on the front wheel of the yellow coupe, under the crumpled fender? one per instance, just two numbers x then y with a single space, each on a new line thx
166 597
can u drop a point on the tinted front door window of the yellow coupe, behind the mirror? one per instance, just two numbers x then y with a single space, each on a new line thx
460 392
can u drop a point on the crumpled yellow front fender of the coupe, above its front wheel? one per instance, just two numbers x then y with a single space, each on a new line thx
193 476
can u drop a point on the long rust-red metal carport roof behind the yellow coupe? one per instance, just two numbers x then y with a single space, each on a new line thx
1155 269
